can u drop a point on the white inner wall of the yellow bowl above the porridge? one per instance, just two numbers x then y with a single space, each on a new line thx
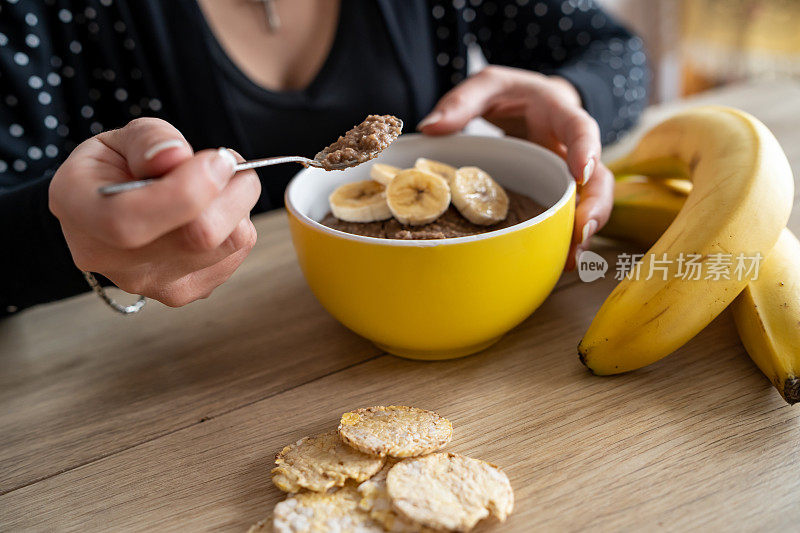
517 165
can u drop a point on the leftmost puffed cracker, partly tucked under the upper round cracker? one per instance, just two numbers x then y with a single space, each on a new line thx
321 462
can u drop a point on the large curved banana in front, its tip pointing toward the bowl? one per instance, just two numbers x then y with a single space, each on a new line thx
740 201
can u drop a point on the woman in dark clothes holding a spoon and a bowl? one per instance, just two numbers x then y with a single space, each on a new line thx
213 73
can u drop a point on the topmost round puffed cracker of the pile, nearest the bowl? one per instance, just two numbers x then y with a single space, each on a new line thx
396 431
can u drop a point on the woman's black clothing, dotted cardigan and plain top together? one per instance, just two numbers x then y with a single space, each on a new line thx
70 69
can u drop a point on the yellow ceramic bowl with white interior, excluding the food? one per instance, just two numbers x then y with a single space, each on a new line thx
443 298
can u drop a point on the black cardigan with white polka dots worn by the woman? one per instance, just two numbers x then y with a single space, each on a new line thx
70 69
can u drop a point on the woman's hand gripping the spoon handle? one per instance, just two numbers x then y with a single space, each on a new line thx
174 241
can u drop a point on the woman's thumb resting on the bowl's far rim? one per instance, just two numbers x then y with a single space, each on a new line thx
467 100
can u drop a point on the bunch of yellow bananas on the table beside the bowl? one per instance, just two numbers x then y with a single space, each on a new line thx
708 181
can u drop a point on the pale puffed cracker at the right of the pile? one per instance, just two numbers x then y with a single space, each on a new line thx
449 491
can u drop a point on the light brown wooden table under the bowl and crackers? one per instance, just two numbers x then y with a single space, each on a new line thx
170 420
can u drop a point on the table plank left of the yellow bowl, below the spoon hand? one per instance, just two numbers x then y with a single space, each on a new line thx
78 382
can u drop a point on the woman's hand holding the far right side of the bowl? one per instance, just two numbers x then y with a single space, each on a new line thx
545 110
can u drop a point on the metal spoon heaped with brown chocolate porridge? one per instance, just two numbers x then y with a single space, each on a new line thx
360 144
